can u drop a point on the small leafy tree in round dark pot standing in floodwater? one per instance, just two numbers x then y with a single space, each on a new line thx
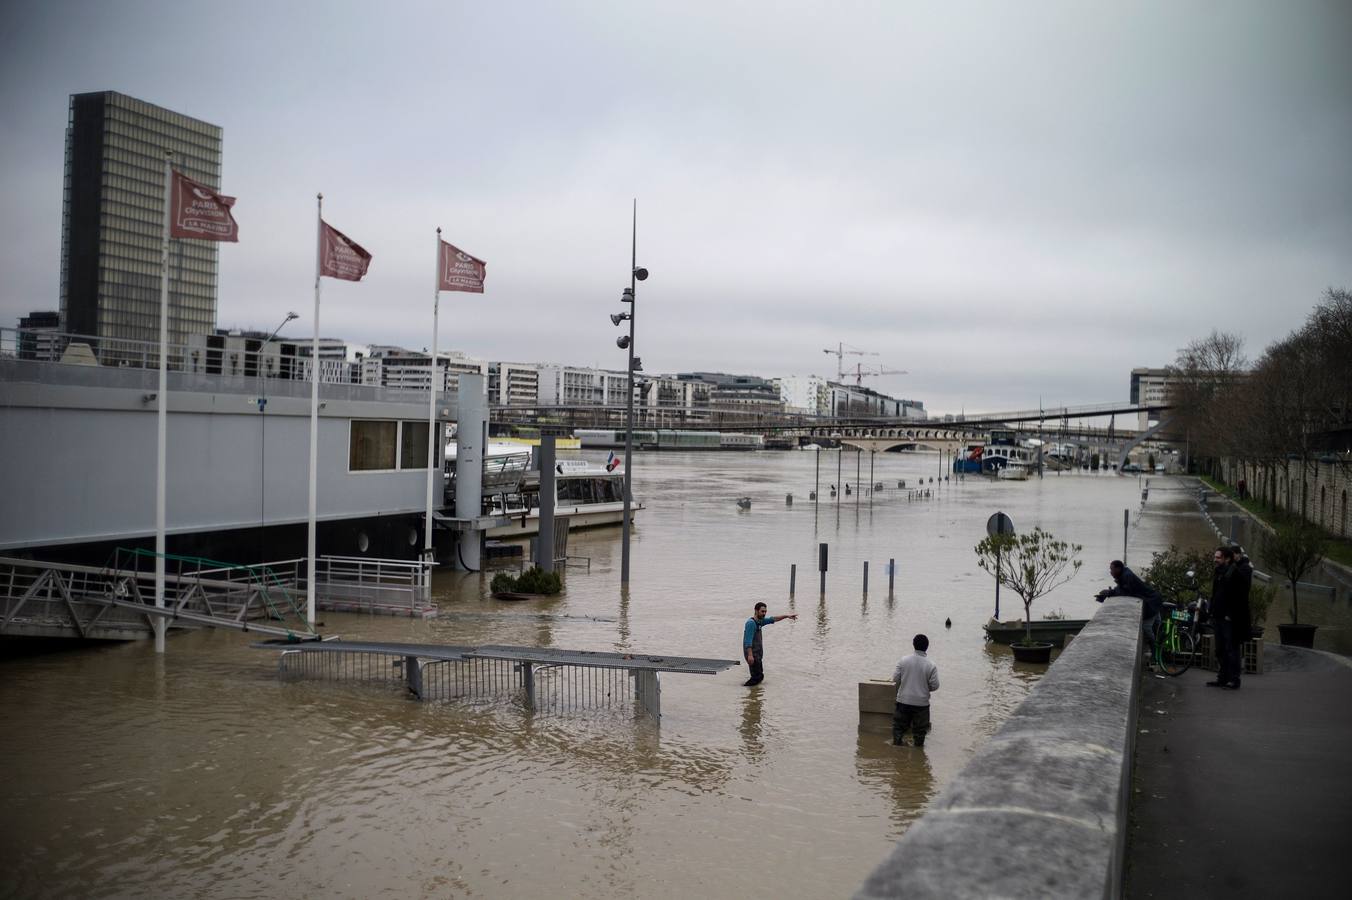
1030 564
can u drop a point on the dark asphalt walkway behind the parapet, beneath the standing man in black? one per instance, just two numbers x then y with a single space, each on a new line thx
1246 794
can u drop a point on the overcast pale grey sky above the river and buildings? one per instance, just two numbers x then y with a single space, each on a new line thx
1009 201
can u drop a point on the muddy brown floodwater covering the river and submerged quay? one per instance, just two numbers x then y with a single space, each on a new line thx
202 774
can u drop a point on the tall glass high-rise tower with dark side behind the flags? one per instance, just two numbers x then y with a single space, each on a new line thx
113 221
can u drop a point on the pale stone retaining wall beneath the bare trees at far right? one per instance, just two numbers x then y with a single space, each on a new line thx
1319 497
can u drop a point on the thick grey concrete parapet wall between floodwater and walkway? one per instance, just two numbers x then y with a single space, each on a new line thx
1042 810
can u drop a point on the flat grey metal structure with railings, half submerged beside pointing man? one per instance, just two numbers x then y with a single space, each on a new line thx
550 682
